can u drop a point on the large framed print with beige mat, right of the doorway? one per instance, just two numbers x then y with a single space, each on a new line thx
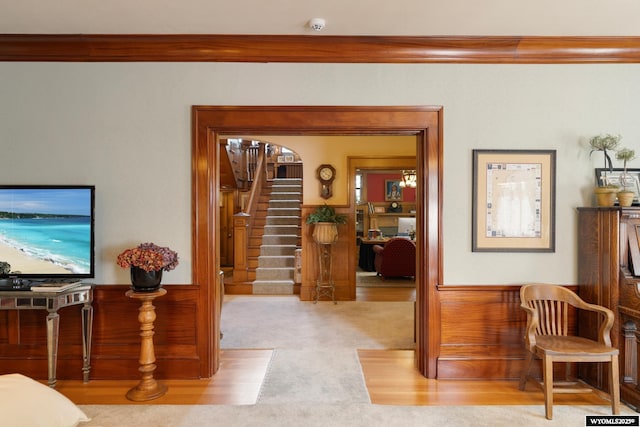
514 200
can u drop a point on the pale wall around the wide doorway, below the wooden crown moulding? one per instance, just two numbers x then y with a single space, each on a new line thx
125 127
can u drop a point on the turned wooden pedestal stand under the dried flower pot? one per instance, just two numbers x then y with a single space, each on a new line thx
148 388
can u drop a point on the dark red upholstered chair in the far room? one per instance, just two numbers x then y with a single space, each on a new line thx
397 258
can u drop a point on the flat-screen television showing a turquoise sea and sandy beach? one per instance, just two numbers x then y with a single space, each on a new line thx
47 232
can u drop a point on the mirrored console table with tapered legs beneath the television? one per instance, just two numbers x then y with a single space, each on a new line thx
52 302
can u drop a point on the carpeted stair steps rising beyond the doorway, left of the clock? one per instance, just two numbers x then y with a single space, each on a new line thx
281 237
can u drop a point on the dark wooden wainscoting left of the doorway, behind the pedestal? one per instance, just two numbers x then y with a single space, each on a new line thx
116 337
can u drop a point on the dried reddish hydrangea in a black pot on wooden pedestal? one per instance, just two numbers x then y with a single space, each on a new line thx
147 261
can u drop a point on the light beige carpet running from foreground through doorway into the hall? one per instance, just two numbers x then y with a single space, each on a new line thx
315 378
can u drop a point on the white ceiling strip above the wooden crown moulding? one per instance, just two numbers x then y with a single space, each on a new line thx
343 17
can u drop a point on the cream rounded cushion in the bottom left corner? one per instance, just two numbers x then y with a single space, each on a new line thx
26 402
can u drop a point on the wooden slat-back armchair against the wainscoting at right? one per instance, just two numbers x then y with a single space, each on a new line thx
547 338
